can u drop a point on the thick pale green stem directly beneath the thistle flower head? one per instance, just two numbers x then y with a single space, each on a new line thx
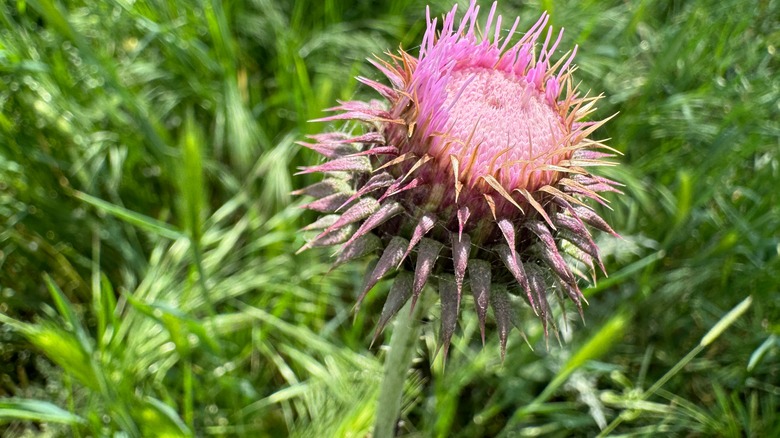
397 363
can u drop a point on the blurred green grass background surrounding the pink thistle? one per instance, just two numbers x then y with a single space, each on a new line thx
147 277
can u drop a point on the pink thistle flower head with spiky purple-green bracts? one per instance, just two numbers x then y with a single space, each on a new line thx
473 173
